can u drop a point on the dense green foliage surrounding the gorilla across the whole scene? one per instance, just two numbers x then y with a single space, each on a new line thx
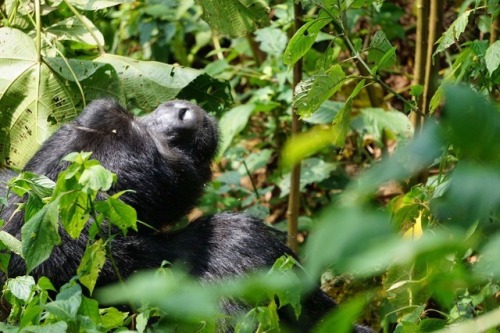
399 186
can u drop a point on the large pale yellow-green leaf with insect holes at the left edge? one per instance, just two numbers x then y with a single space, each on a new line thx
32 98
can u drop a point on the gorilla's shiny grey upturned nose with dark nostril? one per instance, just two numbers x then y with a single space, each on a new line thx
179 115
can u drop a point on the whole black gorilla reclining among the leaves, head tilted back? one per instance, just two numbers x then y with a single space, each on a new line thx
165 158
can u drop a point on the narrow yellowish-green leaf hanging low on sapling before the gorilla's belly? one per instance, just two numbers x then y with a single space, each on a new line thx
91 264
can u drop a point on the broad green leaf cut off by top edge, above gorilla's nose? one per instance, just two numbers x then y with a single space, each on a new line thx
235 18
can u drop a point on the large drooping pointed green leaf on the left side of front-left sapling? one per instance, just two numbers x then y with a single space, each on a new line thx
40 234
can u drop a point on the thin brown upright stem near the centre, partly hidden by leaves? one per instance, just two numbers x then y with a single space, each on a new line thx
292 213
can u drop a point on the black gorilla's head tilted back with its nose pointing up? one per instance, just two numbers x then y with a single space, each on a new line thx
164 157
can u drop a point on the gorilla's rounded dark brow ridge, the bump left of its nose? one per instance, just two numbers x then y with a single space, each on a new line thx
103 115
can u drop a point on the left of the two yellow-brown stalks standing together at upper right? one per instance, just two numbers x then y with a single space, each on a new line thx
420 58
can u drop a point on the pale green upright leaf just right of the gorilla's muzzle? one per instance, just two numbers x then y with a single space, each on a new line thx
232 123
